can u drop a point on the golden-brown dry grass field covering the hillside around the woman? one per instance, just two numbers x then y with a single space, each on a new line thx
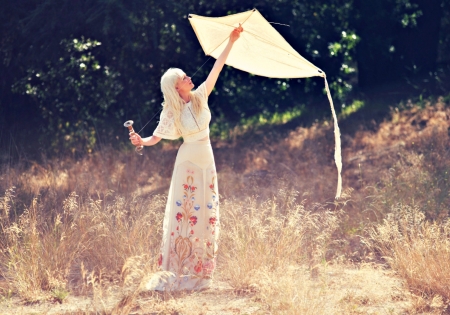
91 228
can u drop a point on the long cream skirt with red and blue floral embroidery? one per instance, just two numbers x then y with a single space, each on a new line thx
191 222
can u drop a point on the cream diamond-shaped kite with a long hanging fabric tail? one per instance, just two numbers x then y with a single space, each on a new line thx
262 51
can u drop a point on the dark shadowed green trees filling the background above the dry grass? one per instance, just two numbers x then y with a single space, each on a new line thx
74 71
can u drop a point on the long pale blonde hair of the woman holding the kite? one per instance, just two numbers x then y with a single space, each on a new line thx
173 100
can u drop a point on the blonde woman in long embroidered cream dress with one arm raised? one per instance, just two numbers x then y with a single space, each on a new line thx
190 229
